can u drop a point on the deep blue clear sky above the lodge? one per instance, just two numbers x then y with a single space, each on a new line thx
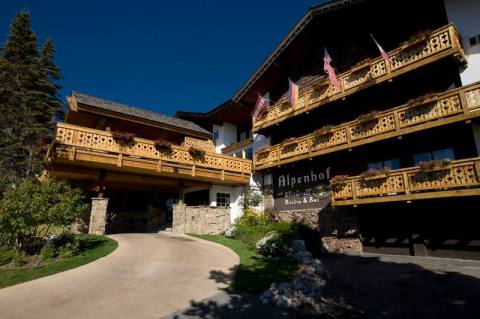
160 55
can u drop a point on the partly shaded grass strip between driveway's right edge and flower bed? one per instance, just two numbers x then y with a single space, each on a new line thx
255 273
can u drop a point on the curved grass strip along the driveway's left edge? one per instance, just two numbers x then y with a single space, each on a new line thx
94 247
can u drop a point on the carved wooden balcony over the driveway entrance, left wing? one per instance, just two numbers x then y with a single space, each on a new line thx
76 145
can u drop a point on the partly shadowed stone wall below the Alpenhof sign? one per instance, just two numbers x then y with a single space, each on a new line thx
337 227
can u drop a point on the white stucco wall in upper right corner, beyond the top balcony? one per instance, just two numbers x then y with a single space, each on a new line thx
465 14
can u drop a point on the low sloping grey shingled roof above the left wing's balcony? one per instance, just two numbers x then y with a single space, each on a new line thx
136 112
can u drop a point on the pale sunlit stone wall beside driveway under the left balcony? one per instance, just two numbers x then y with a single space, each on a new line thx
200 219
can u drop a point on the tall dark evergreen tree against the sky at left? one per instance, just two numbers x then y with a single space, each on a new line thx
28 100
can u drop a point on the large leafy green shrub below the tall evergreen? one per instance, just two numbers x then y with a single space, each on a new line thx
30 211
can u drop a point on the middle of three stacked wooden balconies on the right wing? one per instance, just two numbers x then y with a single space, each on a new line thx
452 106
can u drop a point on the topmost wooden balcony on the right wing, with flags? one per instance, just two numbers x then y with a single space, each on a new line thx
440 44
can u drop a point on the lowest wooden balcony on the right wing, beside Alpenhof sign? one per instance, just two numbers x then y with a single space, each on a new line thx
459 178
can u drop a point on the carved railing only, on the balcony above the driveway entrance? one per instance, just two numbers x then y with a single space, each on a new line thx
102 141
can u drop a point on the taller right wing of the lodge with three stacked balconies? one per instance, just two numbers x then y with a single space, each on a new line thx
400 140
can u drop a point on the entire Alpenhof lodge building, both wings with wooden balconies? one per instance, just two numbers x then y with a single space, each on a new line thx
387 162
